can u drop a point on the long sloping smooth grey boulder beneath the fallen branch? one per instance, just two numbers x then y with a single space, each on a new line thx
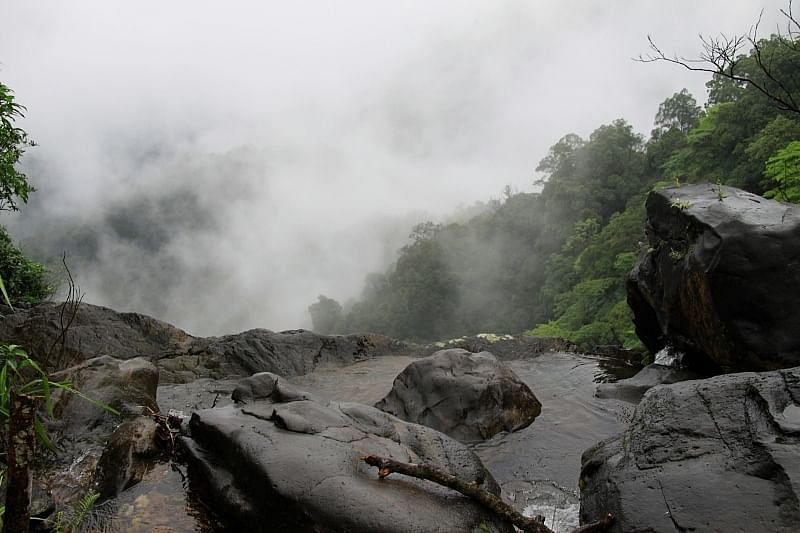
281 460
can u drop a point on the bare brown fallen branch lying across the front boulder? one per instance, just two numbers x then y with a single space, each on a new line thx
388 466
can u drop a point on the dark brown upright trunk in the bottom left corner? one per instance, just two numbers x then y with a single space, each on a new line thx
21 446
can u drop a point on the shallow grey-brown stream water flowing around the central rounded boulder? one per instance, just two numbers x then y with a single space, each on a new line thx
538 466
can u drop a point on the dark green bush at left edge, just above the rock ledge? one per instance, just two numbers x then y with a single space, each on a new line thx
25 281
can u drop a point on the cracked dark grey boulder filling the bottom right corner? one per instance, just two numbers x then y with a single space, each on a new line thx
721 454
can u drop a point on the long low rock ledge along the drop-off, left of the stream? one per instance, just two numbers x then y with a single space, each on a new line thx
180 357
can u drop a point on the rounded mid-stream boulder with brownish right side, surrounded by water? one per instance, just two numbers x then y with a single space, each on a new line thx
469 396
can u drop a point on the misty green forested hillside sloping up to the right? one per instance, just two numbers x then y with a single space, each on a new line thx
554 263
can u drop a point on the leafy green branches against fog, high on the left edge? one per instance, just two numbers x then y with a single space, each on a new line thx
14 184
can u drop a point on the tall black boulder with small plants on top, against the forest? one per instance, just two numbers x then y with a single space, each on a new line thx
720 278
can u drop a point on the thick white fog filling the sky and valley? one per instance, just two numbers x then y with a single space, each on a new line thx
219 165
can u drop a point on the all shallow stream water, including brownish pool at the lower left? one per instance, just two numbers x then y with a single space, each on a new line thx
537 467
